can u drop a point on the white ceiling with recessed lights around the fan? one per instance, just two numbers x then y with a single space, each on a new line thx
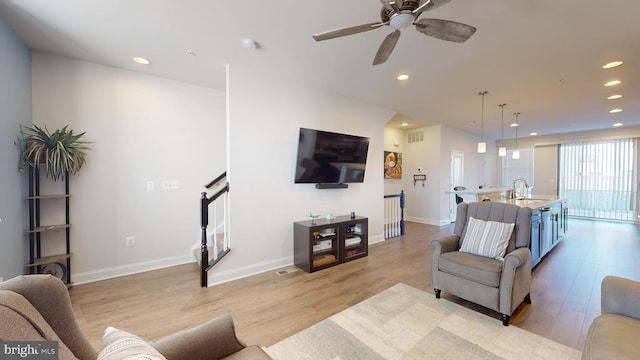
543 58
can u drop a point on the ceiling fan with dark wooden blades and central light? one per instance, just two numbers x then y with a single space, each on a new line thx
400 15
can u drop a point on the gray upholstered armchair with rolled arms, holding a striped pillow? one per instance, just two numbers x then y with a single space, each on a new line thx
500 283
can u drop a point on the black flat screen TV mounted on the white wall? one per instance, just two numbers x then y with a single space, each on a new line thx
327 157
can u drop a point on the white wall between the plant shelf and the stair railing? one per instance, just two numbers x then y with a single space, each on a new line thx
143 128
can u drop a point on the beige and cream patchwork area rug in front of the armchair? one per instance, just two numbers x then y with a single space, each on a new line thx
406 323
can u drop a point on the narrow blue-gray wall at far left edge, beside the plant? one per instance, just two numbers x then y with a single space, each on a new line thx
15 110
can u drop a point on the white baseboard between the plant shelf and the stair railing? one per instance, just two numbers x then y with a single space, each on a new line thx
108 273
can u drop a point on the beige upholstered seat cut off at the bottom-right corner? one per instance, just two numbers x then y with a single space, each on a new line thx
614 334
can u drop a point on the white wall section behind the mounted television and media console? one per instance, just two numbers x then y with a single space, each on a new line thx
265 116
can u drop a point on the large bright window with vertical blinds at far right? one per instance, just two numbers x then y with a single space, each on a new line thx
598 178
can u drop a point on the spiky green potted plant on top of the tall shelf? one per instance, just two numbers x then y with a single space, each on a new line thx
59 152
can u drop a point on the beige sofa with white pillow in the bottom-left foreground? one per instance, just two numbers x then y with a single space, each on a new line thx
38 308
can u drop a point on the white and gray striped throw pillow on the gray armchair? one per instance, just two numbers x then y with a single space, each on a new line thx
487 238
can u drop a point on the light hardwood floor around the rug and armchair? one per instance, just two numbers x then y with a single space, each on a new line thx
267 308
